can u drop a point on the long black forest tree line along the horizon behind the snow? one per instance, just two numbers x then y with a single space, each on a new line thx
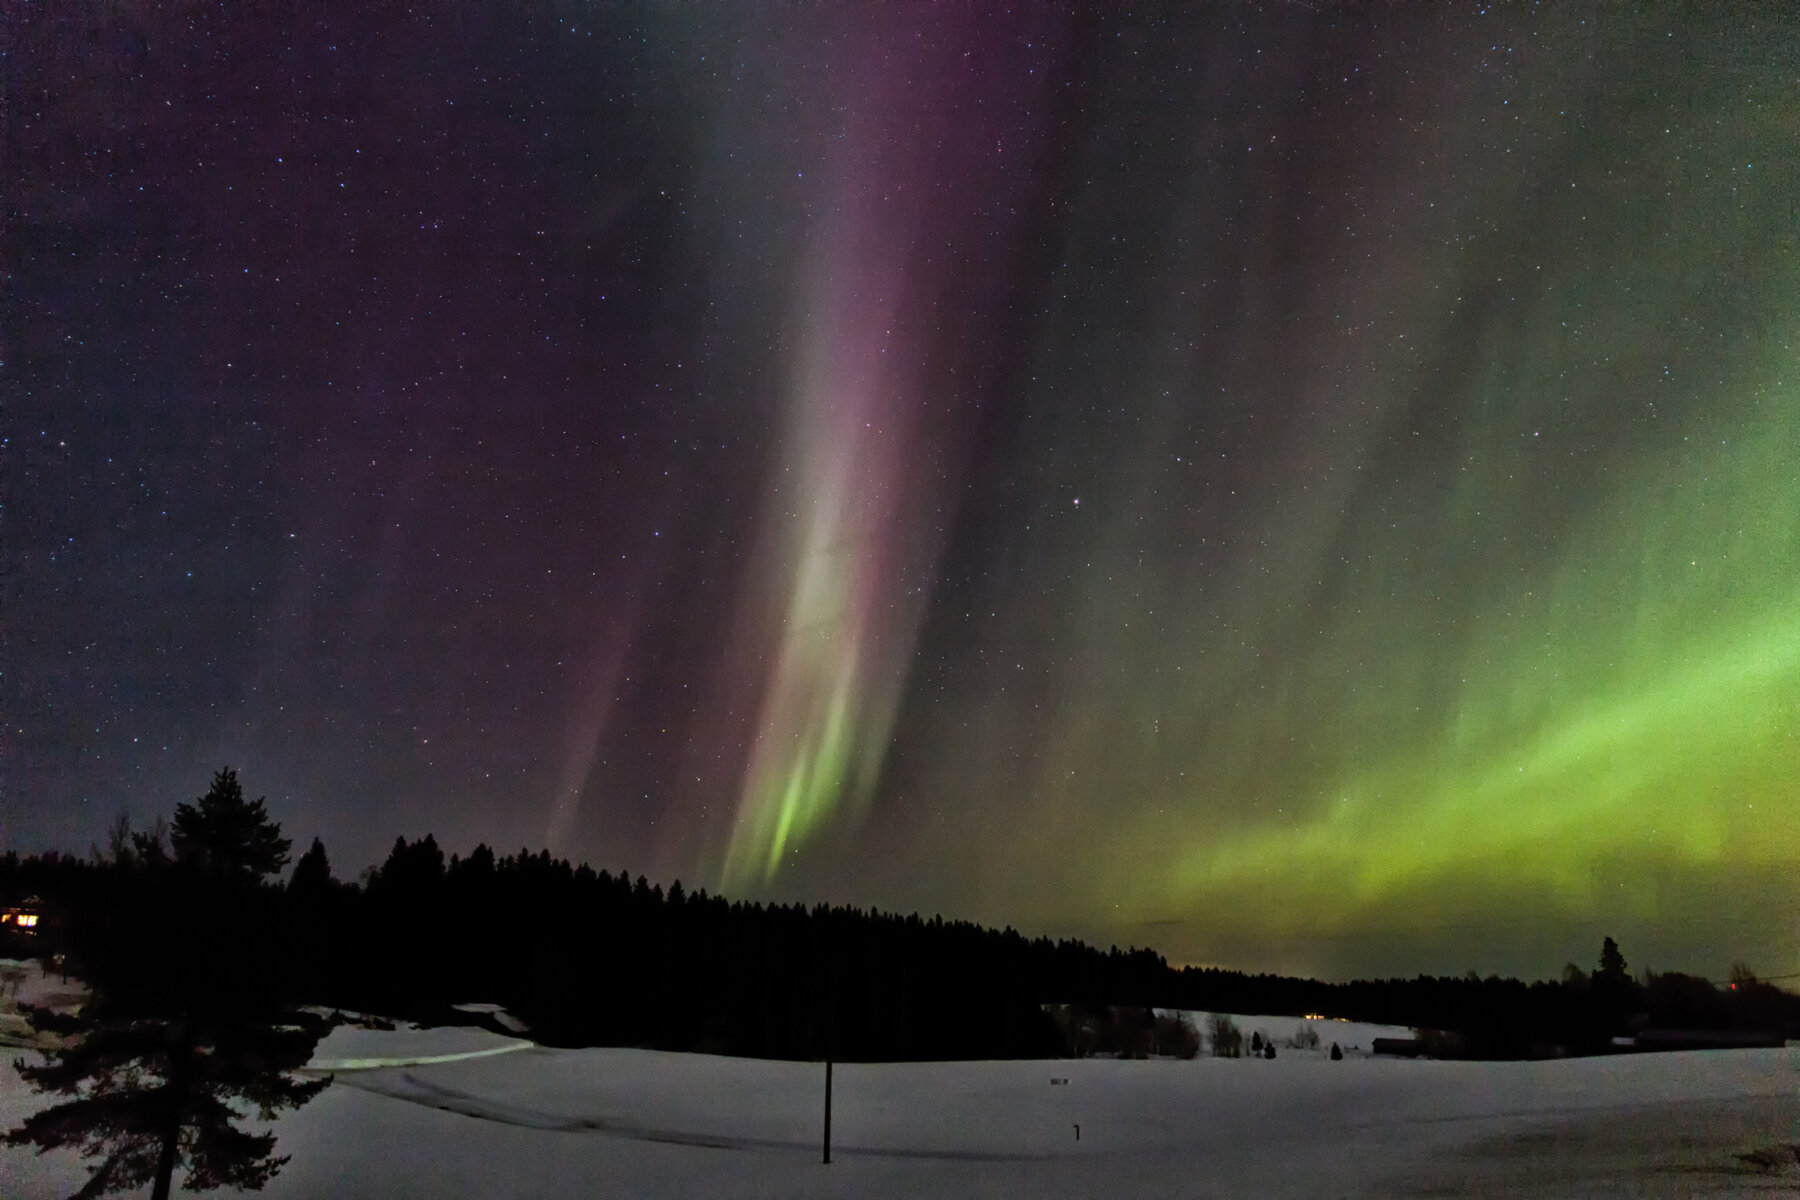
591 958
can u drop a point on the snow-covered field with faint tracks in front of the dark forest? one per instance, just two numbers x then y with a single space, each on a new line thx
465 1113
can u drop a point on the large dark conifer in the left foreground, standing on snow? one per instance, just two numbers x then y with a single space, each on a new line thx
186 1025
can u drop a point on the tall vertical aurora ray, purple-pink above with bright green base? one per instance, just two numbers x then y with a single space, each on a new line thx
892 289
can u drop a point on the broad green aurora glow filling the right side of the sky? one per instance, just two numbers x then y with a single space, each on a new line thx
1435 589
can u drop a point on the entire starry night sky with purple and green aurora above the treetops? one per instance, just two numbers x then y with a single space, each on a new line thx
1300 487
